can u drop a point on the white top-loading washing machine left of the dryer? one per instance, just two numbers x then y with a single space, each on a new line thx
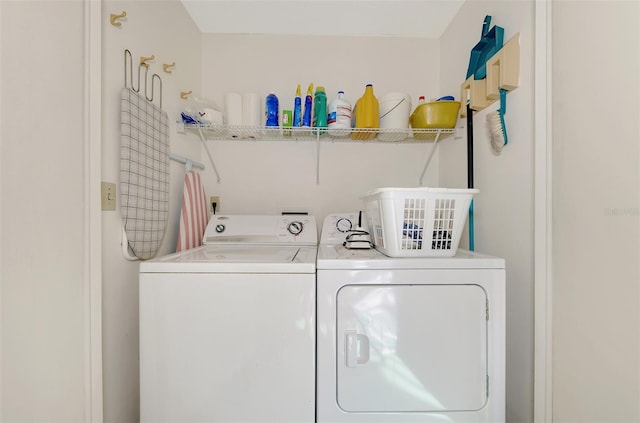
227 330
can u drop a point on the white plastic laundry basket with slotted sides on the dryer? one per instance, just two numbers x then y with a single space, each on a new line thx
417 222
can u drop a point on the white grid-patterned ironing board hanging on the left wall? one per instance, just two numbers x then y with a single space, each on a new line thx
144 173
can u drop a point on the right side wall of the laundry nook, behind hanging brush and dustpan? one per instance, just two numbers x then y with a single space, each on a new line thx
504 208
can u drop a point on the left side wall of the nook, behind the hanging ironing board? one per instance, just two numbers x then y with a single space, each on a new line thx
163 29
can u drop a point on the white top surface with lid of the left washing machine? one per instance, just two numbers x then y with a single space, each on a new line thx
236 259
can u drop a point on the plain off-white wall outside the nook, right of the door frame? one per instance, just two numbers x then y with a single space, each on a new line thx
596 186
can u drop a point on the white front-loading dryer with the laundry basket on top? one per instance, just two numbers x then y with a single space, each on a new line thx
408 339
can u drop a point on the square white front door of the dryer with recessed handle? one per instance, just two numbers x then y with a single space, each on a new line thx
411 348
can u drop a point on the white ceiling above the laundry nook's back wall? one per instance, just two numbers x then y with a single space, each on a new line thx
394 18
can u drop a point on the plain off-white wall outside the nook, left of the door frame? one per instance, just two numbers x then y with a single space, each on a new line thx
42 212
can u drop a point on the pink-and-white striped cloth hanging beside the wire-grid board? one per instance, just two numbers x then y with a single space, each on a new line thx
194 215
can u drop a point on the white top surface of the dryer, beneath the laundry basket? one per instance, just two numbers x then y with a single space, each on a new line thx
336 256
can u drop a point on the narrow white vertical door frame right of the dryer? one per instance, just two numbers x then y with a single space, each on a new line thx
543 222
